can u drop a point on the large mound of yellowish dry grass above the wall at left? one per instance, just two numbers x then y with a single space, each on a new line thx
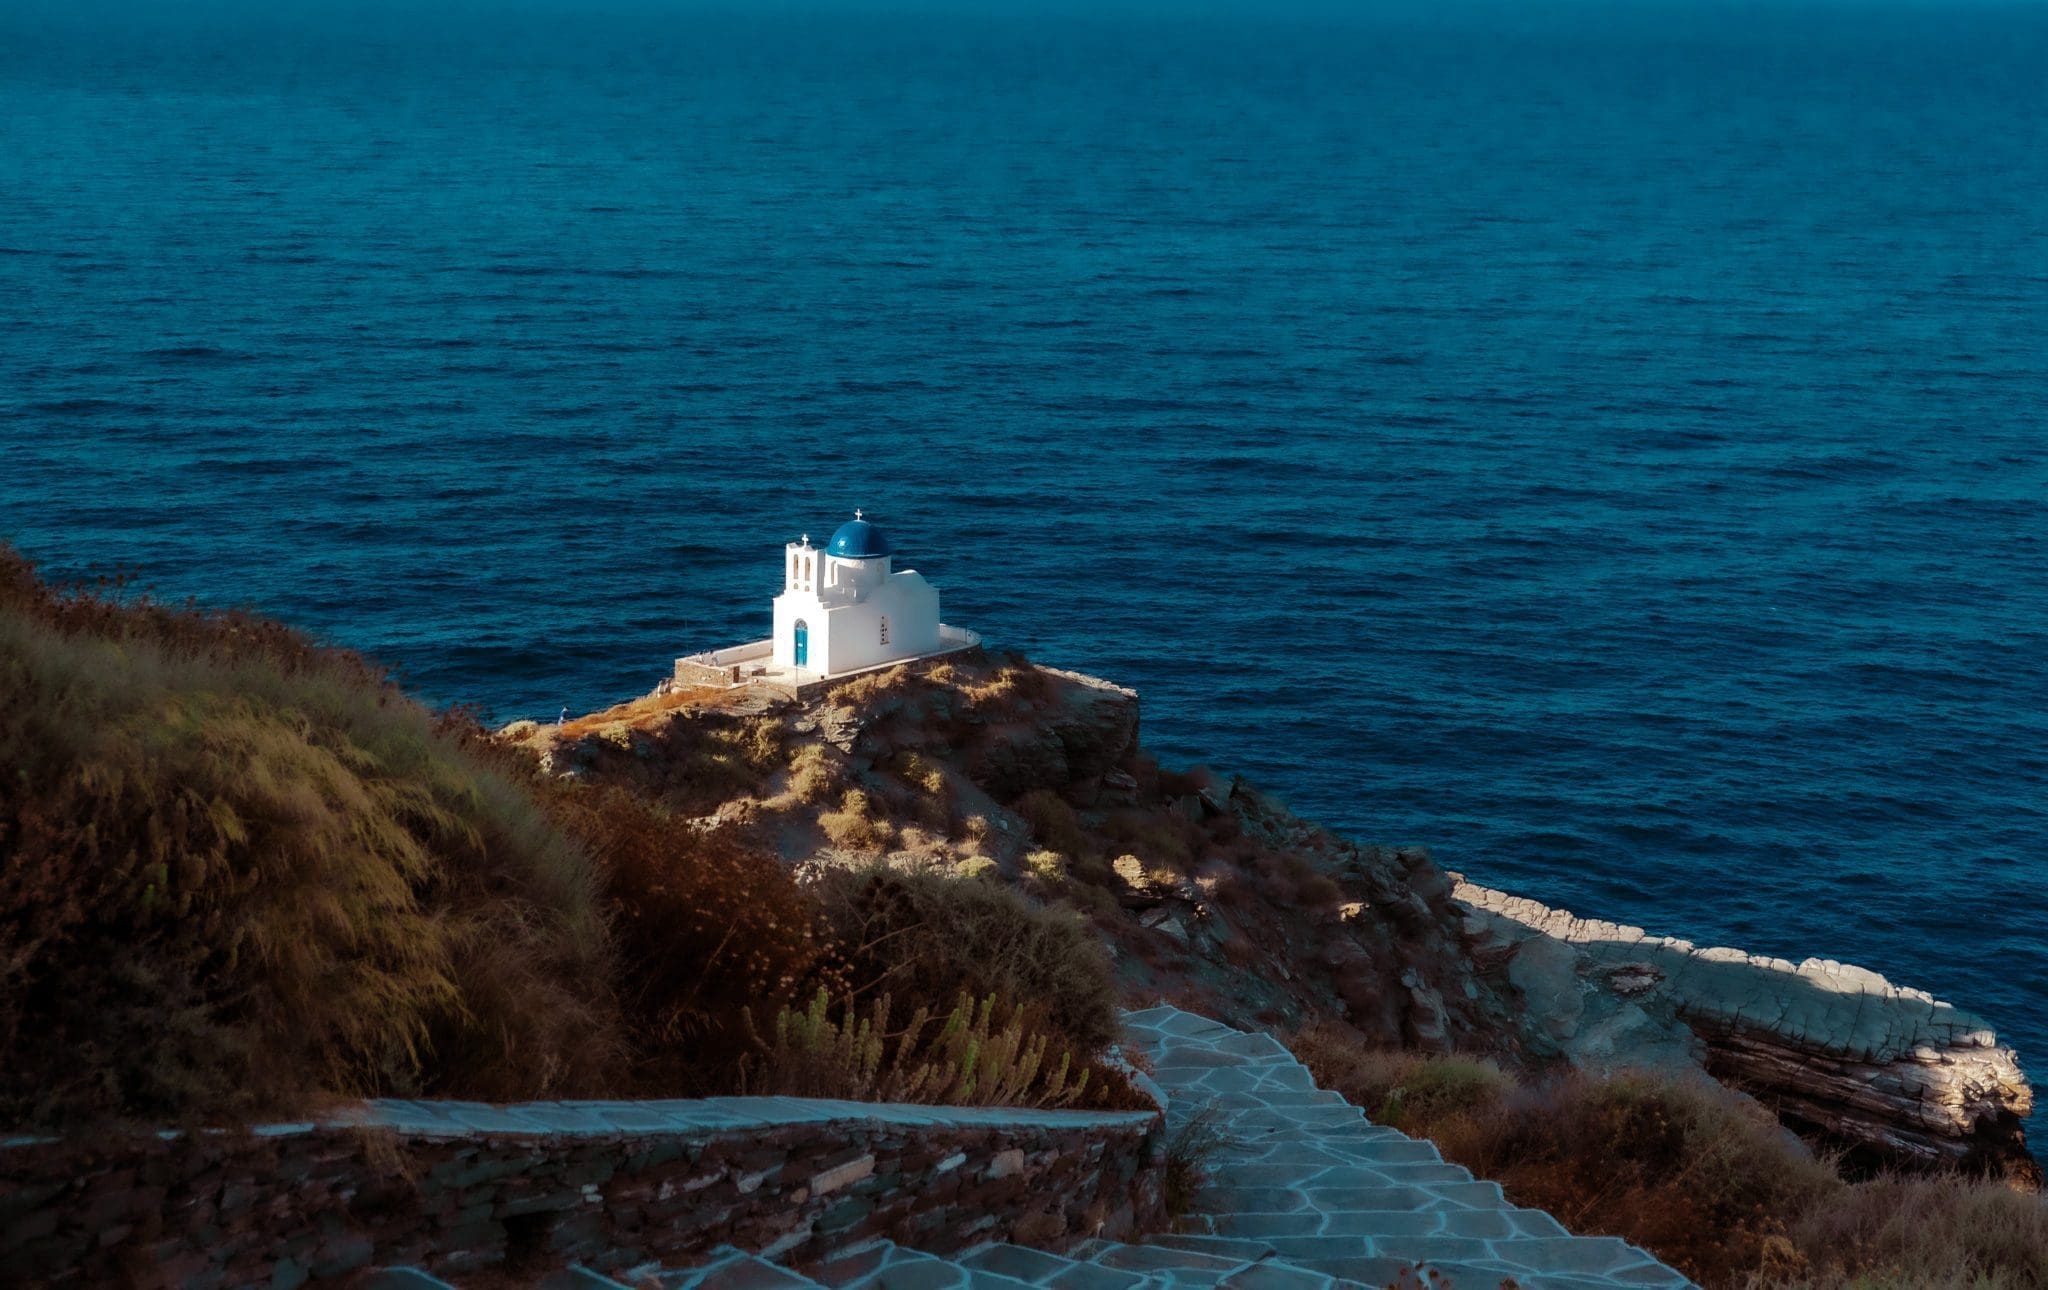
245 871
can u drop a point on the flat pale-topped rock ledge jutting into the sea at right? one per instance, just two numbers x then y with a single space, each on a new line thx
1826 1043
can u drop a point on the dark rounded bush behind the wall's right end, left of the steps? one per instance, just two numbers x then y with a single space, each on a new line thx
925 937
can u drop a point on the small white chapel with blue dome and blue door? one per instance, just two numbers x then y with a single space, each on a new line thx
845 607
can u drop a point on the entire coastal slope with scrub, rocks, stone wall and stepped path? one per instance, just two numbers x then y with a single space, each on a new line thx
509 1004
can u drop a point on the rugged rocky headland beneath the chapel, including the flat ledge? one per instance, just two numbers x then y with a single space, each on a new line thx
1213 896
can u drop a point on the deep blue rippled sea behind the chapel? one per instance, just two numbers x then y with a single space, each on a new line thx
1609 447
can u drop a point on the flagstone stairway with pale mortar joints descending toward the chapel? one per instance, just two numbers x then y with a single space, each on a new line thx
1306 1195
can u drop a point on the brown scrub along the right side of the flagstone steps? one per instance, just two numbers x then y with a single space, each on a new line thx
1699 1176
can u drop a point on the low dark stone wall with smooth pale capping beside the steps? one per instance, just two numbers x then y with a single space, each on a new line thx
468 1187
